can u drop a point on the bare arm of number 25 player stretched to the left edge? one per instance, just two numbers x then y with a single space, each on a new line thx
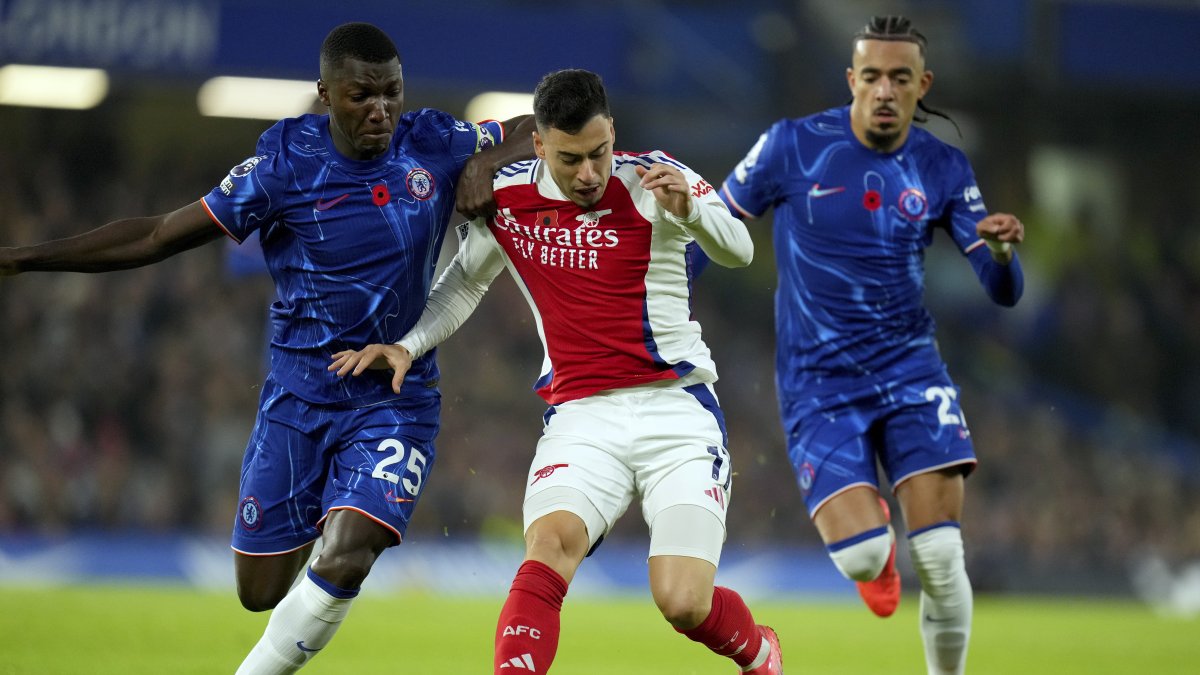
122 244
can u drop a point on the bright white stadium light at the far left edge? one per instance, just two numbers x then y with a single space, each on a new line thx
51 87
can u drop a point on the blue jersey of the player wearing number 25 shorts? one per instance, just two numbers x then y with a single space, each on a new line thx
352 246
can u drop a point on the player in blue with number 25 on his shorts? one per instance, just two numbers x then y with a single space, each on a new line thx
352 208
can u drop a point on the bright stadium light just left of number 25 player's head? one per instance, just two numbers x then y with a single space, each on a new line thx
256 98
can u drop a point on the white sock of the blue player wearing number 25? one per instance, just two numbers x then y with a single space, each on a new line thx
301 626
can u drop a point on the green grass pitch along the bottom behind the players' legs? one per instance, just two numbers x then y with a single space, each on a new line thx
137 630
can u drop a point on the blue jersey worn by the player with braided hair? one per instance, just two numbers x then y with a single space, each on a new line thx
851 228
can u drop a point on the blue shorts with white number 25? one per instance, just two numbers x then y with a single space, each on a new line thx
304 461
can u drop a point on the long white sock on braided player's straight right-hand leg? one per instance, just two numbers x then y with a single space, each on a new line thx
946 598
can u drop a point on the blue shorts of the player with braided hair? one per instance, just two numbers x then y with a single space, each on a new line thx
838 438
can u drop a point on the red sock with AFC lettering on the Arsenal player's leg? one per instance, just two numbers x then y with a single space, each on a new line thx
527 634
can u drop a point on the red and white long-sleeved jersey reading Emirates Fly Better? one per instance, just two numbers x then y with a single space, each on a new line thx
610 286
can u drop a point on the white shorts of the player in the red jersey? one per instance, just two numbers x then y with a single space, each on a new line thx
665 445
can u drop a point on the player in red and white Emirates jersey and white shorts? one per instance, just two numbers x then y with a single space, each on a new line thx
601 244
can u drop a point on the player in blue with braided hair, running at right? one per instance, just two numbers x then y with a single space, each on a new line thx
859 194
